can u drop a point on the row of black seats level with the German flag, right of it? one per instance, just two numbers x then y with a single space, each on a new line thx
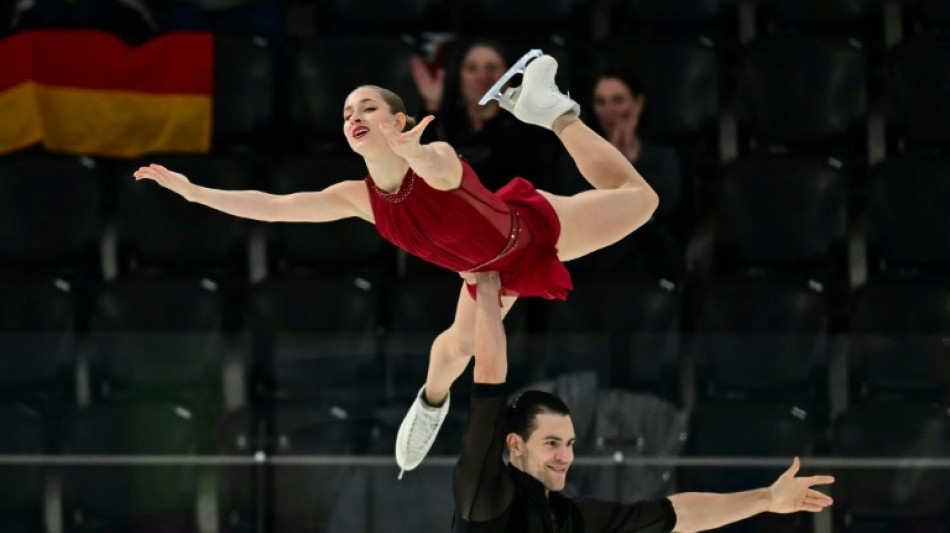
688 81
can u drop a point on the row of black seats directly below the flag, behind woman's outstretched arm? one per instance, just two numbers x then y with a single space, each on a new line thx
779 212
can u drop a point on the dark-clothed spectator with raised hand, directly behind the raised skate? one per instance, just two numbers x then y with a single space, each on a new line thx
495 143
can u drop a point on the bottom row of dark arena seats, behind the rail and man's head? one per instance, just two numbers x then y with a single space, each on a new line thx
322 497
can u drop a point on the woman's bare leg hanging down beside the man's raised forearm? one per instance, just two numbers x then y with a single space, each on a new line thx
453 348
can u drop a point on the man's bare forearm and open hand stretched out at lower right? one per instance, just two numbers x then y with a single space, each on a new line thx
699 511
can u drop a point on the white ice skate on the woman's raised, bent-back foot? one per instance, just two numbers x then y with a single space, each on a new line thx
537 100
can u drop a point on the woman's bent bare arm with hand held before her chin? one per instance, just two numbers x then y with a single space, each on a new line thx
436 162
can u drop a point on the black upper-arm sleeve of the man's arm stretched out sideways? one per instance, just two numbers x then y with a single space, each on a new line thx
655 516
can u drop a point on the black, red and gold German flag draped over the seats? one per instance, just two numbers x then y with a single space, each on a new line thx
87 92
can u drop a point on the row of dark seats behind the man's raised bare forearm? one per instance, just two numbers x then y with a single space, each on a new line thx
344 343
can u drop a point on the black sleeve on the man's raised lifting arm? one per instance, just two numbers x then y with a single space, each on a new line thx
483 489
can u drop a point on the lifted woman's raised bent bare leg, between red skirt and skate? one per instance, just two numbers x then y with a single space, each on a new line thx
621 202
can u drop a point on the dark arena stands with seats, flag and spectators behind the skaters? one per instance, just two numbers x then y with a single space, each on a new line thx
165 367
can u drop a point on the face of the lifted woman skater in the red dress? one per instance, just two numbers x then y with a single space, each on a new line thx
363 111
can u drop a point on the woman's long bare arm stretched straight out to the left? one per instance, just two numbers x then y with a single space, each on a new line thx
341 200
